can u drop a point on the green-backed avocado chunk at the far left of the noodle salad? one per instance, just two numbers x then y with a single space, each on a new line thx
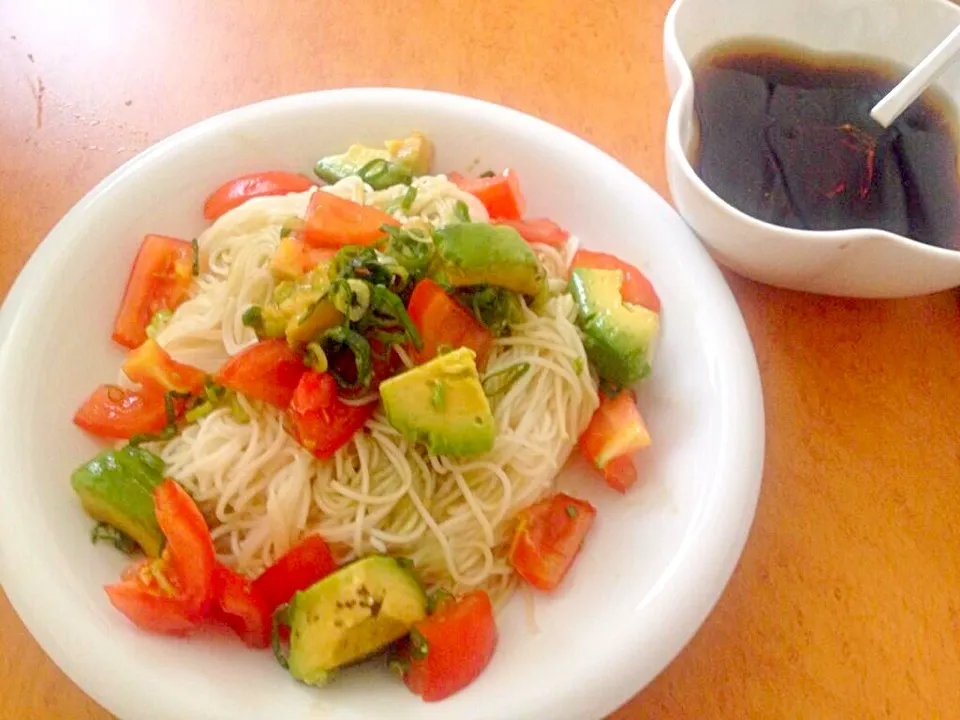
116 488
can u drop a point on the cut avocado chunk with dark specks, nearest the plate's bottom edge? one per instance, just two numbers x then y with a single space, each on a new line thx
350 615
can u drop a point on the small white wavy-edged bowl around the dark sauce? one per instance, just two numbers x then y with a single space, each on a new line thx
855 263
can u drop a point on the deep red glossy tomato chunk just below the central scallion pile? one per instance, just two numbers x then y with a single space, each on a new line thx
321 421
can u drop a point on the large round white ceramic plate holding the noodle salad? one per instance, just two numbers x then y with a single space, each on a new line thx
654 565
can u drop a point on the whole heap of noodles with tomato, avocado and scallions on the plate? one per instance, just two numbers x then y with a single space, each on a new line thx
344 408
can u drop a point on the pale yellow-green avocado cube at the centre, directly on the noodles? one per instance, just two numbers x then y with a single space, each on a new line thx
442 405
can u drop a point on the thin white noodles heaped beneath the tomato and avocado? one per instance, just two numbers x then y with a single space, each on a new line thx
452 517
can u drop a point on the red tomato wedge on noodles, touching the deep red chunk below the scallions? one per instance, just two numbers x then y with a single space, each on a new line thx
268 371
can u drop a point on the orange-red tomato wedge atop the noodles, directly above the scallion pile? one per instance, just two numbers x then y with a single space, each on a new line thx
334 222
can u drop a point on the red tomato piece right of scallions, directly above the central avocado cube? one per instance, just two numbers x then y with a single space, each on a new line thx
442 321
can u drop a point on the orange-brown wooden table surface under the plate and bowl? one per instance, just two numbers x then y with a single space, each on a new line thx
846 603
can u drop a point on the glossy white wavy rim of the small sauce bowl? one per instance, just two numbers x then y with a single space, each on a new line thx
684 97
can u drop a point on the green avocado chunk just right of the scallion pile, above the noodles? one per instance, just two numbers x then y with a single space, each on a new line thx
483 254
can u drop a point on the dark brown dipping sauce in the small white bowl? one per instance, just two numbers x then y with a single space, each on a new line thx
786 136
